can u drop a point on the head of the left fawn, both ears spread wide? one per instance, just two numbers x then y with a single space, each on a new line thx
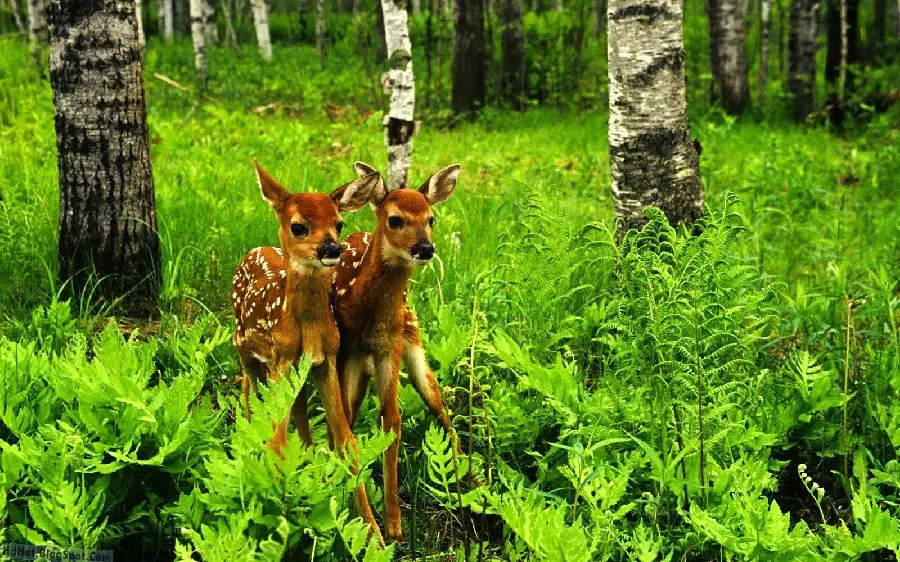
311 222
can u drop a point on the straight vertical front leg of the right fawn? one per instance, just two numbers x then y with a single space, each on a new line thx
387 377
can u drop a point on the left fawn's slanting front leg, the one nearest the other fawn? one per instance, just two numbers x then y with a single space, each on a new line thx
329 388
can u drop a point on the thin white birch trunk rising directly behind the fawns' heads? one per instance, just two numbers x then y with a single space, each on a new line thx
399 82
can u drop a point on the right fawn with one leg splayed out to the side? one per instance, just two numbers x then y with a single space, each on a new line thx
377 328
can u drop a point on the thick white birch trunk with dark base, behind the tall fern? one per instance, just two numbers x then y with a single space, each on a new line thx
652 158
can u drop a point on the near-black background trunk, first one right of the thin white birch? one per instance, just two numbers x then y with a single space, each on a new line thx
468 57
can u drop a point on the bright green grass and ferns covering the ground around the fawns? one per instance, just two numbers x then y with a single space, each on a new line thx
587 356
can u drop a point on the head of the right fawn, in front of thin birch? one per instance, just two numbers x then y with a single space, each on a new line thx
404 218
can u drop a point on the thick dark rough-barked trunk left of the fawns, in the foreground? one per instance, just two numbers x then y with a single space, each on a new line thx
107 224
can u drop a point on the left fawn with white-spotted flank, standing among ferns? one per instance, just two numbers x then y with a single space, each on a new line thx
282 305
